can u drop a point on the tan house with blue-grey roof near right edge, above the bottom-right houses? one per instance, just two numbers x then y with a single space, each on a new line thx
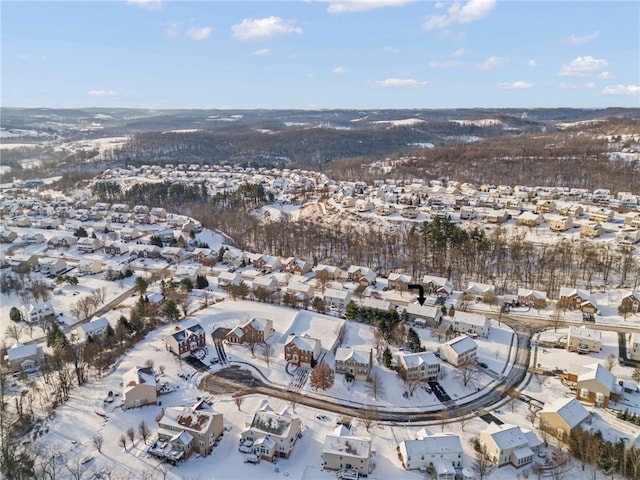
595 384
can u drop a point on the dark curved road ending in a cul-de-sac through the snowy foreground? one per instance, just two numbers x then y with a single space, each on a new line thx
235 380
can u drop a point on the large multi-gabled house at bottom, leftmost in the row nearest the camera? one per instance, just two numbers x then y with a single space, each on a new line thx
183 430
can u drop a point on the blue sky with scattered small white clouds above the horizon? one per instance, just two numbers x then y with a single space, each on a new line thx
320 54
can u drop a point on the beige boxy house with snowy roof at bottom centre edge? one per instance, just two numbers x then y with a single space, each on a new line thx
343 451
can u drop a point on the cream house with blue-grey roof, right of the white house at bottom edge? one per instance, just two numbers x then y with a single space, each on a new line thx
508 444
